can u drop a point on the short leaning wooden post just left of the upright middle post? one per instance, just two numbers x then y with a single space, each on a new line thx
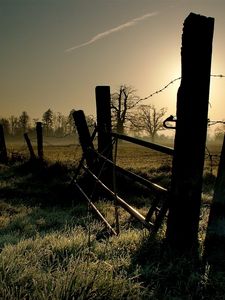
84 137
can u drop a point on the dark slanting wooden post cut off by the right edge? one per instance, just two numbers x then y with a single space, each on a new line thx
215 237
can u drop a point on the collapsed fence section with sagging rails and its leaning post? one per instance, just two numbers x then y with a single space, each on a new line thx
93 158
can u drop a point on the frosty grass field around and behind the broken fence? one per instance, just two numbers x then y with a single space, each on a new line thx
52 247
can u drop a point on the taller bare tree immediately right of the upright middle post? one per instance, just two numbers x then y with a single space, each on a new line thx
122 103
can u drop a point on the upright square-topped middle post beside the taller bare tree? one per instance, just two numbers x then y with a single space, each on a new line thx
104 126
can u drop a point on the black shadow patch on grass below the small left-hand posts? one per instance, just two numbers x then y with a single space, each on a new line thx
36 182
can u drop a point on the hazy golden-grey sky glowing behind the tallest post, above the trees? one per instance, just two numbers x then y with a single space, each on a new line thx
55 52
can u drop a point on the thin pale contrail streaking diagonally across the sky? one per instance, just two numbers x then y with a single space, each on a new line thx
102 35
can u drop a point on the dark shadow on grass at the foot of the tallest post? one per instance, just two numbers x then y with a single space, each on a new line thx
169 276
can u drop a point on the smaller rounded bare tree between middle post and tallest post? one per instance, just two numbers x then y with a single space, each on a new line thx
149 119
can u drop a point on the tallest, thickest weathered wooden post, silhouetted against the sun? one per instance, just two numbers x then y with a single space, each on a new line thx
190 138
